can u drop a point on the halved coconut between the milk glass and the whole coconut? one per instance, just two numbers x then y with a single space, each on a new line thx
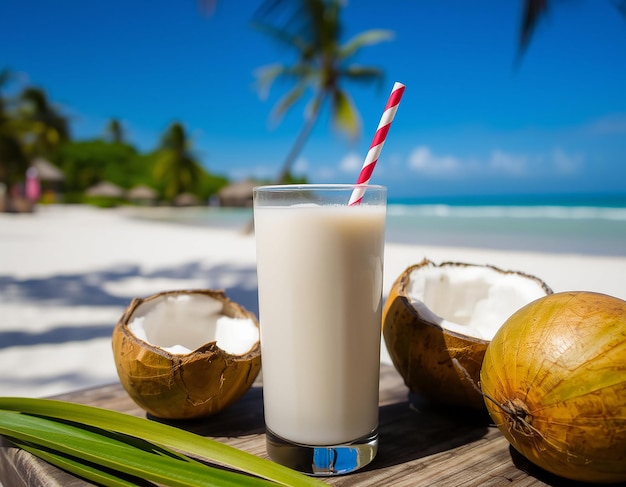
439 319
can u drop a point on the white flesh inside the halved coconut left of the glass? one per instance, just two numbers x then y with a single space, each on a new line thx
181 324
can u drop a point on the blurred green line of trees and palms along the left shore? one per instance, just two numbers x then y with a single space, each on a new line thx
31 128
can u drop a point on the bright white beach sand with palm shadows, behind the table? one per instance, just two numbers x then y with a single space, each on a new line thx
68 273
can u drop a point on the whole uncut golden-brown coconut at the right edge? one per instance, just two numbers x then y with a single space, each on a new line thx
560 398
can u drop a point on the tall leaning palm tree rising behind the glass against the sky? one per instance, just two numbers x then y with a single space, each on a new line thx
313 30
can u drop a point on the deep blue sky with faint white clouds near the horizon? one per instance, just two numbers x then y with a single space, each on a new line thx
470 123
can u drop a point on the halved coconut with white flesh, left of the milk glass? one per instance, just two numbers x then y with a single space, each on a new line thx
186 354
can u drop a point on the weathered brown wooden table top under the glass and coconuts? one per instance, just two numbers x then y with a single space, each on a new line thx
420 445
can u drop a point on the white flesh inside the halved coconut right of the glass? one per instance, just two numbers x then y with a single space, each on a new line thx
471 300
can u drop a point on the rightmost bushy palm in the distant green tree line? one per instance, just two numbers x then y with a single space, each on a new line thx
176 165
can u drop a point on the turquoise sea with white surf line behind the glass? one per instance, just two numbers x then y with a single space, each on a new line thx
582 224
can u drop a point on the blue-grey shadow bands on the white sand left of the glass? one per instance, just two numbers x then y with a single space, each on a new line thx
107 288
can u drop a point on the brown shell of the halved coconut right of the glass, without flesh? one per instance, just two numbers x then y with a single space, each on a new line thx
441 365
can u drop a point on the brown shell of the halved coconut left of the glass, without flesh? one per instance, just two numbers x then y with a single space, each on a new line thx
172 386
